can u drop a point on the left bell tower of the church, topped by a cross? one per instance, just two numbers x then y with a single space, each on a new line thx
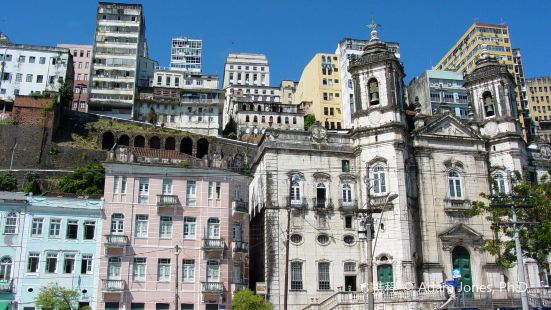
378 85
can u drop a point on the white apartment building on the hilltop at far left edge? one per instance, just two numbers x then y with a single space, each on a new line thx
31 69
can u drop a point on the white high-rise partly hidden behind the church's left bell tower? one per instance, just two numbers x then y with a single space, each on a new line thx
348 49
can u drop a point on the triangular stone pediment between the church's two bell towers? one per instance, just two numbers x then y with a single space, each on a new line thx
447 125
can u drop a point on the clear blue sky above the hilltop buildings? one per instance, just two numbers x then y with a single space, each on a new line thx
291 32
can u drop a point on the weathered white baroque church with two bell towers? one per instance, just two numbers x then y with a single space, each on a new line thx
414 174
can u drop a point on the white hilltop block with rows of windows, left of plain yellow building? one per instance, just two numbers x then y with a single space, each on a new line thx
246 69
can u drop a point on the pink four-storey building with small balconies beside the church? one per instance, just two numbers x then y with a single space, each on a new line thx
174 238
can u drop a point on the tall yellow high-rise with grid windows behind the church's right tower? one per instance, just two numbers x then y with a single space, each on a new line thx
469 48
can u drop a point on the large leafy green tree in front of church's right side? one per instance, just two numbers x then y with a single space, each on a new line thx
535 239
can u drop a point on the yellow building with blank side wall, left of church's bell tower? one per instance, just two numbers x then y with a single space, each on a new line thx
319 84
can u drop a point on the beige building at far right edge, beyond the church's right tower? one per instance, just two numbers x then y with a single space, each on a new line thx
539 91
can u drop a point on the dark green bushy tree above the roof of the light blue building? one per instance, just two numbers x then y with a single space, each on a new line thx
88 179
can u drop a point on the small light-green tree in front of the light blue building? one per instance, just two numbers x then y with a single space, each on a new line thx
53 296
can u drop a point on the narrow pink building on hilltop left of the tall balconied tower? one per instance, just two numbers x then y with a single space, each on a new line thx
82 57
